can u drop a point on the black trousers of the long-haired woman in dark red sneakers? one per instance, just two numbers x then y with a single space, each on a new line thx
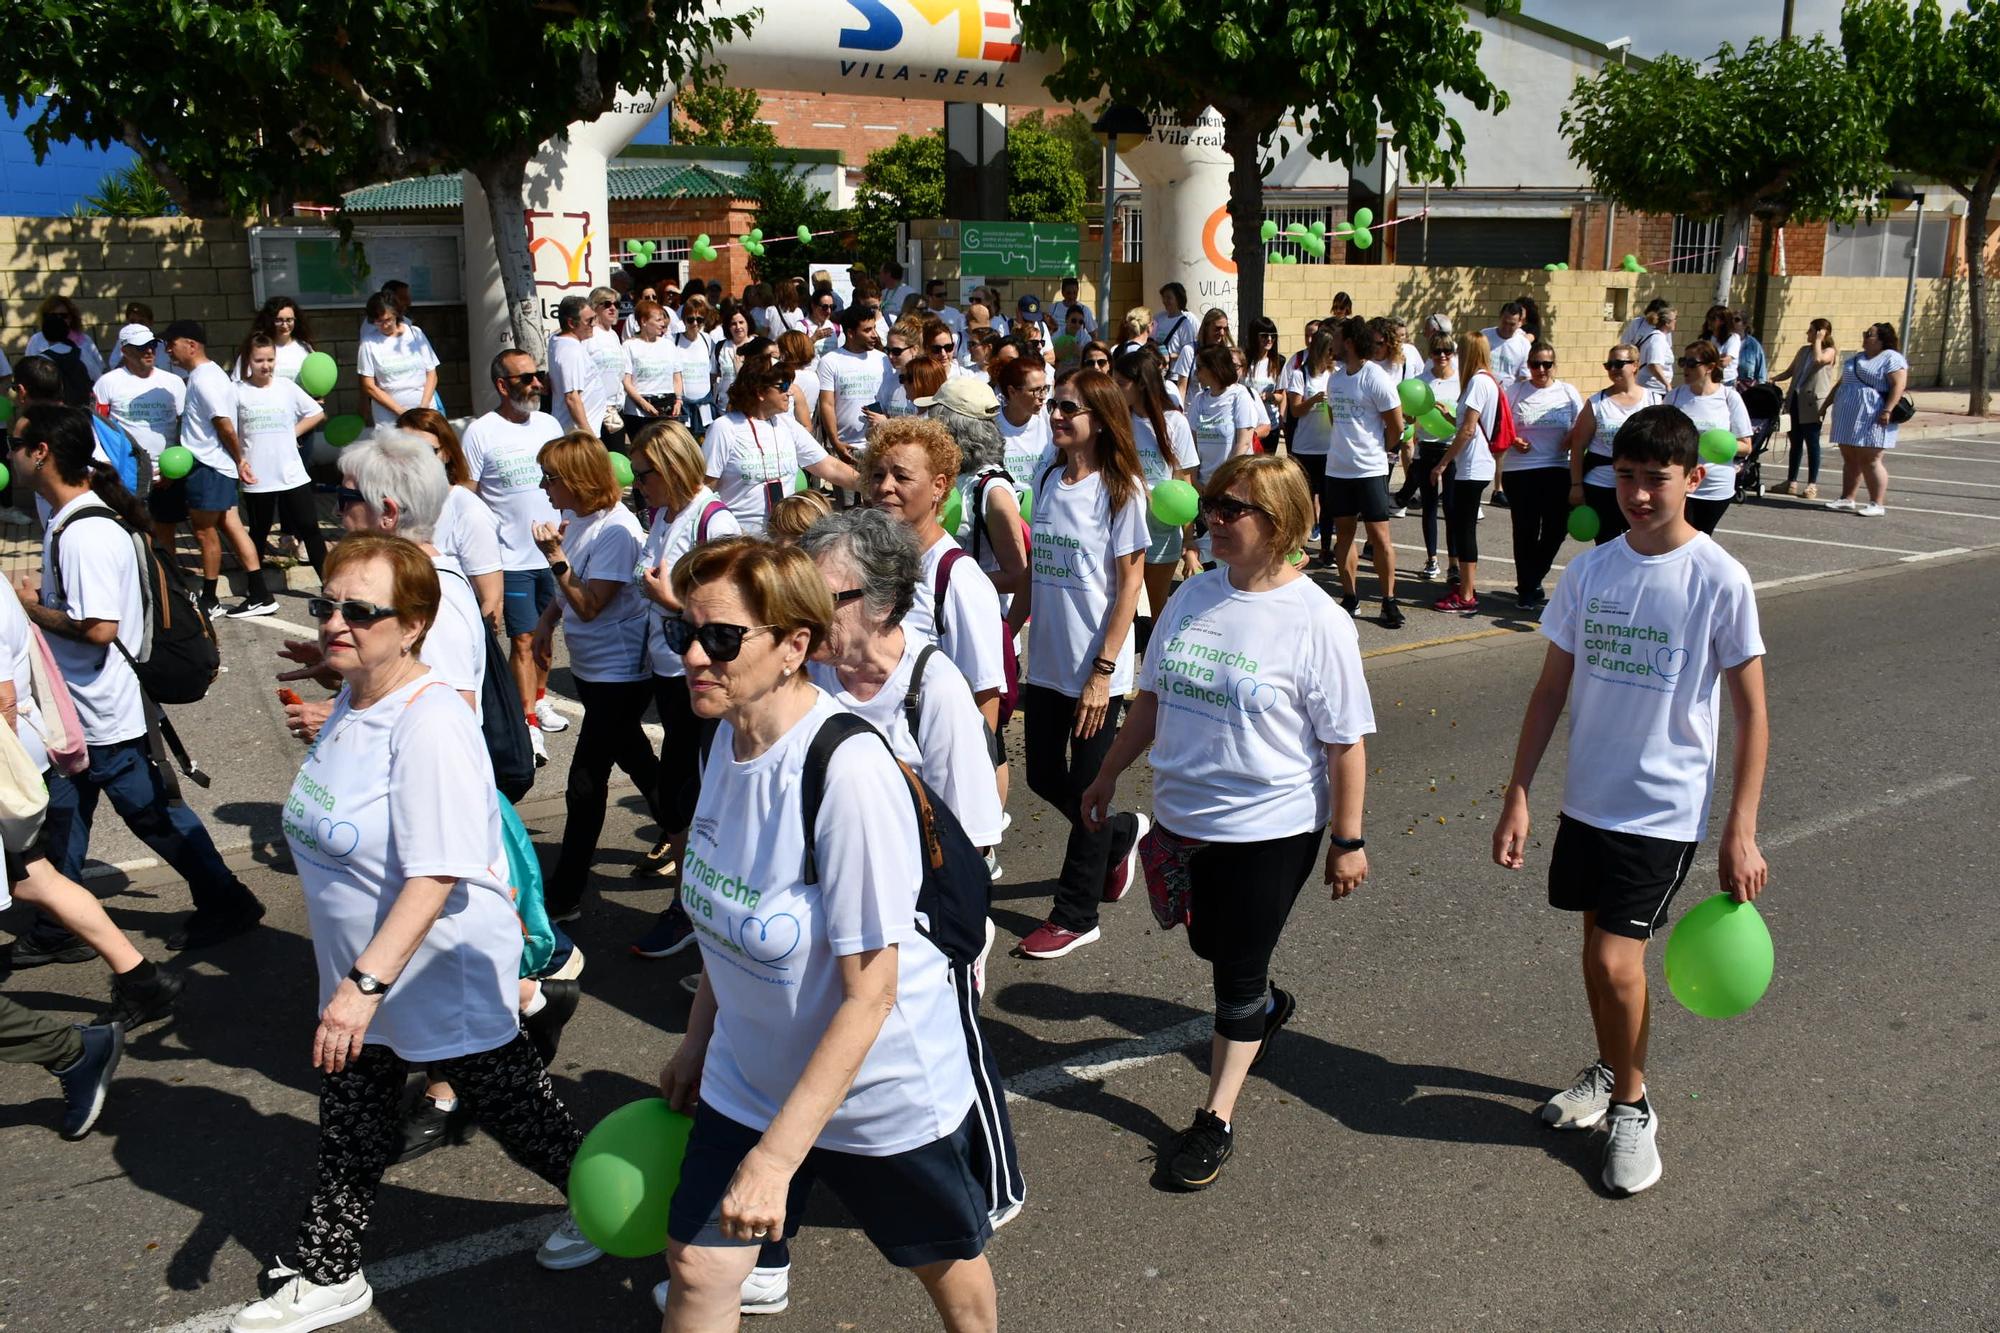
1059 772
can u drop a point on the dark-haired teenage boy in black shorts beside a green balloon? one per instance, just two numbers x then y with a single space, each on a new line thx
1643 631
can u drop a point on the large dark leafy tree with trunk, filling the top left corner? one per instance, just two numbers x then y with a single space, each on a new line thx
253 107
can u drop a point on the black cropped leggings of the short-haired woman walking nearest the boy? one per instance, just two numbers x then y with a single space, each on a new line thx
1243 896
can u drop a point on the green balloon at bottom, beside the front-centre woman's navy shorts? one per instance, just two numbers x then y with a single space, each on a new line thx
625 1178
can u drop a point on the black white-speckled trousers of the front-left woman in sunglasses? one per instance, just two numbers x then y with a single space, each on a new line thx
361 1134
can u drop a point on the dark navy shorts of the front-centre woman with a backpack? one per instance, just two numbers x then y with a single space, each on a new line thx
917 1208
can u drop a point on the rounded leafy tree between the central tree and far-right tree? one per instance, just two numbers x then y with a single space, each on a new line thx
1779 129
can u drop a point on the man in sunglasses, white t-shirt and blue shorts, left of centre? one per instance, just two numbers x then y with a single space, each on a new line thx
503 453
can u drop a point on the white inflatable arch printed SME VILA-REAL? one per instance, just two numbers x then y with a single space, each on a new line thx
961 51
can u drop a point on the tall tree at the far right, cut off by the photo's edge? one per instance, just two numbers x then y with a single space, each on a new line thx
1937 91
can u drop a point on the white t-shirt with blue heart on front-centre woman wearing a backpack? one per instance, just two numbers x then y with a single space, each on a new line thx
771 944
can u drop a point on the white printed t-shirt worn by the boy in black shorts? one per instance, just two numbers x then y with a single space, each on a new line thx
1651 637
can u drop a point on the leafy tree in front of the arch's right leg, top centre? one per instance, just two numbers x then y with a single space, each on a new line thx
1341 69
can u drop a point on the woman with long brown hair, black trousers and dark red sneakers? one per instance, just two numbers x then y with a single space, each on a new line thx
1085 575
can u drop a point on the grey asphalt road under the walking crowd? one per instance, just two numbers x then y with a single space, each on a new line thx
1829 1158
